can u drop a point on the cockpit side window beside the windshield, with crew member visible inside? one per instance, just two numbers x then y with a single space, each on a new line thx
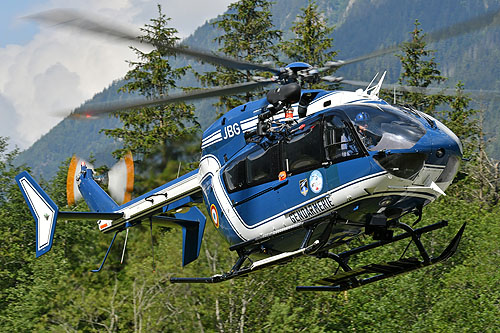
338 140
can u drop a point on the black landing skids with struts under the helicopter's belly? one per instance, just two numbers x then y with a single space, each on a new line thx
345 280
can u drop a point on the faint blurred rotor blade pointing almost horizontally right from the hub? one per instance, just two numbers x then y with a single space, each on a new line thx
429 90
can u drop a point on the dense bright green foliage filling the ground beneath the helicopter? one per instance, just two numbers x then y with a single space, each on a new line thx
58 293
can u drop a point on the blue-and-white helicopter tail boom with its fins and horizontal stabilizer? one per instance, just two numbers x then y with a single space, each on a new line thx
176 196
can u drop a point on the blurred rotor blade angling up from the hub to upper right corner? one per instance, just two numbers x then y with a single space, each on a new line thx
479 22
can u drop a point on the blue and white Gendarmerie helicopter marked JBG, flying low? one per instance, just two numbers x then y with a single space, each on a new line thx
300 172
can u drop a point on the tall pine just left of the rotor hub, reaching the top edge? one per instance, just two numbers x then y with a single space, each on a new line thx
248 34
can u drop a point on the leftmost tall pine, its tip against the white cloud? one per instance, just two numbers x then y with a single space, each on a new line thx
149 130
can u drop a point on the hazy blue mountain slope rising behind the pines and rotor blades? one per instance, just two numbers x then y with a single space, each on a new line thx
362 26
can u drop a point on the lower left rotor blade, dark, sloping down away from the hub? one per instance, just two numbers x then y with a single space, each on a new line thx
97 109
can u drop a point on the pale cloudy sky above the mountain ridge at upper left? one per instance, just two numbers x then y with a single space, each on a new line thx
47 70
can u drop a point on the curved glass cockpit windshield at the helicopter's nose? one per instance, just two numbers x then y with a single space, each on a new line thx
384 127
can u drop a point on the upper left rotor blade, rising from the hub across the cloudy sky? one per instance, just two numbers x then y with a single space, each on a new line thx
82 21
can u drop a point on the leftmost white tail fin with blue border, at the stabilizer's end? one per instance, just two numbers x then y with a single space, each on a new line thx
43 209
